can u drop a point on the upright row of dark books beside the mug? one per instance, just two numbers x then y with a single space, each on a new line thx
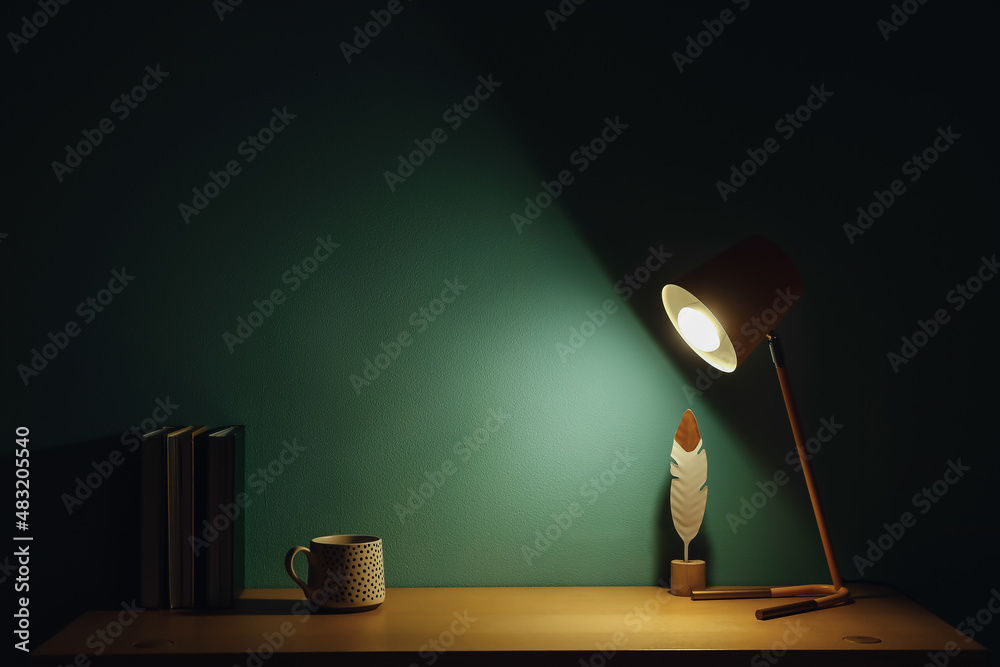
192 512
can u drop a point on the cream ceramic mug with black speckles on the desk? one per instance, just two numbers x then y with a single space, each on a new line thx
346 572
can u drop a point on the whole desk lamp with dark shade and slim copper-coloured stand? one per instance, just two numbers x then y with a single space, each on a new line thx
723 309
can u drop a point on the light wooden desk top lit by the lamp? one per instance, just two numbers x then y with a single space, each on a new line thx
573 626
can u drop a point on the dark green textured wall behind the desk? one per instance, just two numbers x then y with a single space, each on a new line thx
590 426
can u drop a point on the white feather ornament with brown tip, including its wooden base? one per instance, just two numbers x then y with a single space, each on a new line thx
688 496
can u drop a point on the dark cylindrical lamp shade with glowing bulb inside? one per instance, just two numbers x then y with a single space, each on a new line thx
725 307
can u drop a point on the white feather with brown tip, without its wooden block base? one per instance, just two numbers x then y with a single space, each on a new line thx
689 483
